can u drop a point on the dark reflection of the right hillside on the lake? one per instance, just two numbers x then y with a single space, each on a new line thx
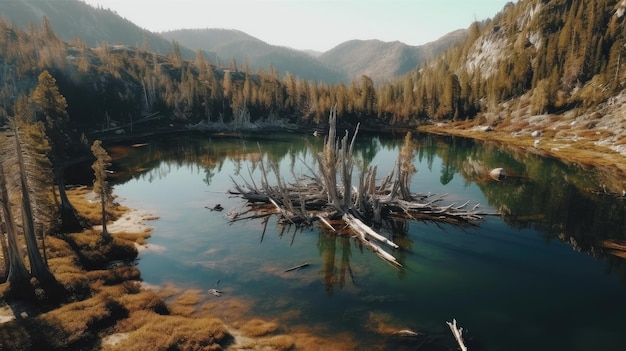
552 197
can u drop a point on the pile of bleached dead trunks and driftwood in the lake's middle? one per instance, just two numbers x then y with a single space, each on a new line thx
328 196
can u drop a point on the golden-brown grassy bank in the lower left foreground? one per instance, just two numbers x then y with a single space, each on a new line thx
108 307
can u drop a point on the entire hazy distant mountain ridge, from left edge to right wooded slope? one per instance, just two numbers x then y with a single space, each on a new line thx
71 19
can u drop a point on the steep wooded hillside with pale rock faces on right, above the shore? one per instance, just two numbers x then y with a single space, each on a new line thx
549 56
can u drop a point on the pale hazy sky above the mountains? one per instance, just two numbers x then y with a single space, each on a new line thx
311 24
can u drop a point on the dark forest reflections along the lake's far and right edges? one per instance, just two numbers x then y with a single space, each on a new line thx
549 196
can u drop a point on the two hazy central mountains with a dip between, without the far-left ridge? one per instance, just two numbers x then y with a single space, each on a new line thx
381 61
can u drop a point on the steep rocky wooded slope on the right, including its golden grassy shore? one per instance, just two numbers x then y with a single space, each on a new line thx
550 75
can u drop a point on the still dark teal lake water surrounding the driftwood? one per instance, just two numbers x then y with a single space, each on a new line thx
534 279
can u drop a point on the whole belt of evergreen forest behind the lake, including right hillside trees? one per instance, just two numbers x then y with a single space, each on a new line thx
545 56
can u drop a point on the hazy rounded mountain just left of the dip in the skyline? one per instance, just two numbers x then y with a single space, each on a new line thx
257 54
